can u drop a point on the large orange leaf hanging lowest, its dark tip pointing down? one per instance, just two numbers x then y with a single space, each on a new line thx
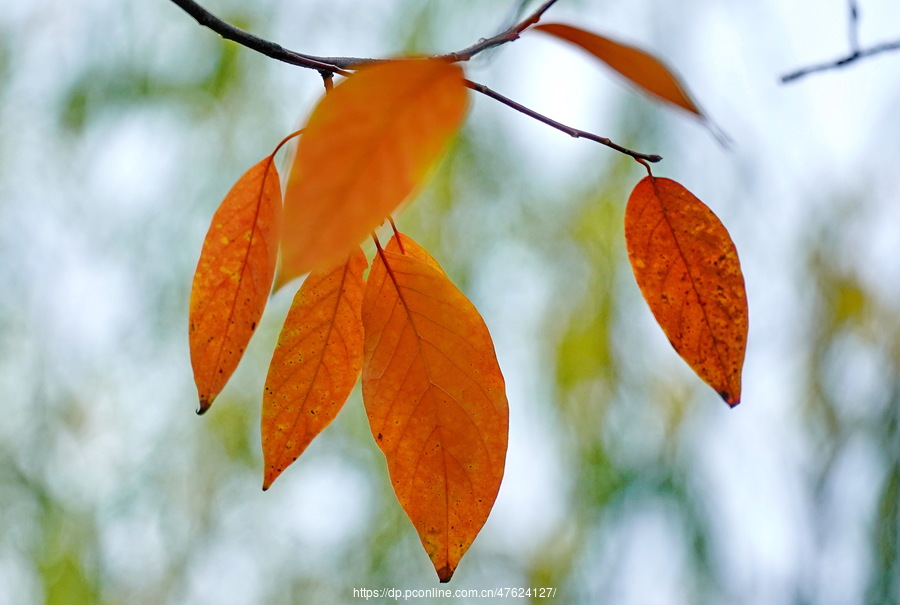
435 398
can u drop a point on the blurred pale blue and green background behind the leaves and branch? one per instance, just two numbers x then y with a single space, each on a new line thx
123 125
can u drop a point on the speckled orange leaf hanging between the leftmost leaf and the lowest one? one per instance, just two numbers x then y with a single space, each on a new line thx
316 363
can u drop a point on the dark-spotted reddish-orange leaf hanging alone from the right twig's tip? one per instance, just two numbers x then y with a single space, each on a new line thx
688 271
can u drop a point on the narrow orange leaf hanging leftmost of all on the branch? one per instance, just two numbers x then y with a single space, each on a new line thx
233 277
